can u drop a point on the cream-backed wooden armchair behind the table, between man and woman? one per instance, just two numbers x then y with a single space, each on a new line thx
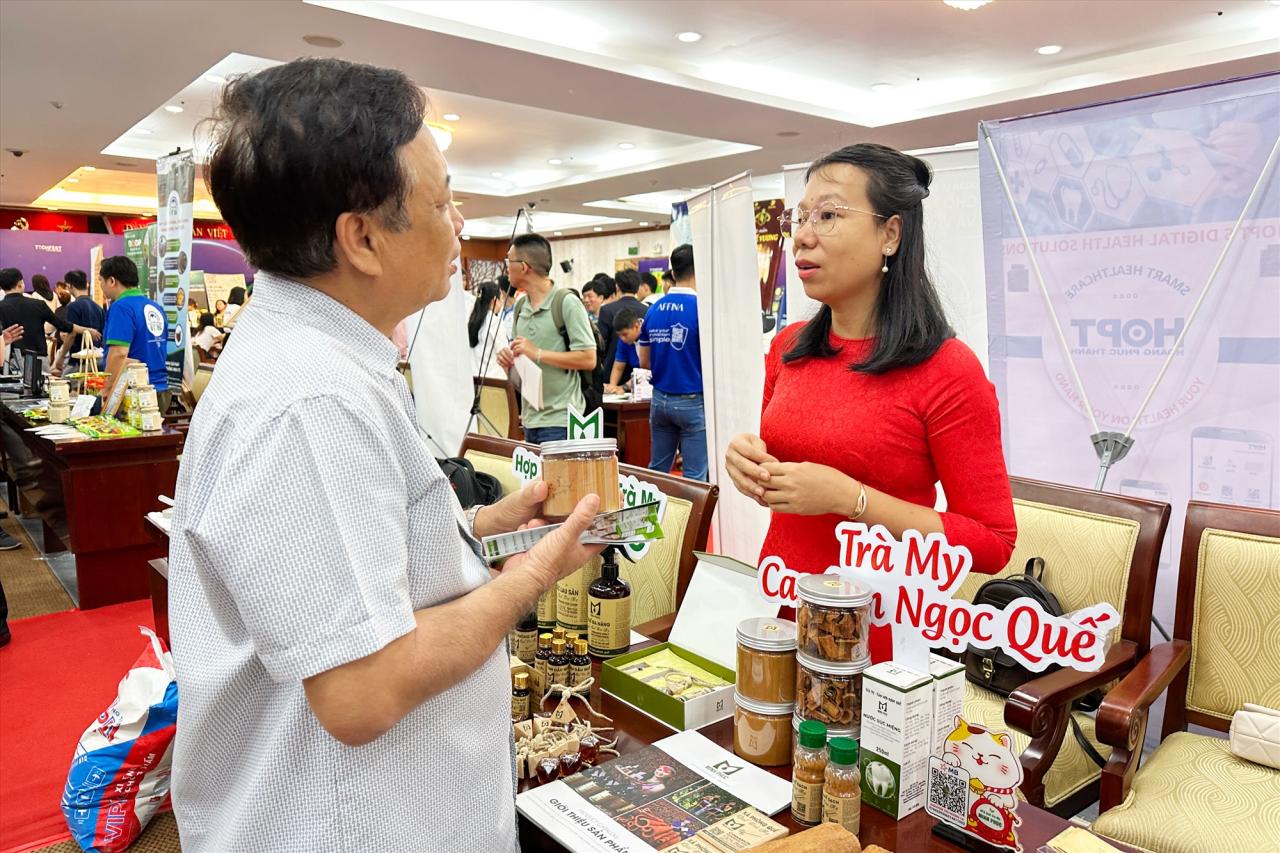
662 577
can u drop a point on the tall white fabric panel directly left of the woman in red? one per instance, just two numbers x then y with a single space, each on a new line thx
729 317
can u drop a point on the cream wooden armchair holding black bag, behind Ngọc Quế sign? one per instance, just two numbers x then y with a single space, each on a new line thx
1098 548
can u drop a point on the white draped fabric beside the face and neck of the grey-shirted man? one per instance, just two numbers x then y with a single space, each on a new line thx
441 359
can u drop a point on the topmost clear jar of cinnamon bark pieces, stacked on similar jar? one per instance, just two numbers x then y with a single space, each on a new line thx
834 618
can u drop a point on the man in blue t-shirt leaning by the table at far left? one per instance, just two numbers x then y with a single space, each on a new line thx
136 327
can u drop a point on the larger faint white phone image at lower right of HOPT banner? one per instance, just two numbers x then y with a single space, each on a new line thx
1232 467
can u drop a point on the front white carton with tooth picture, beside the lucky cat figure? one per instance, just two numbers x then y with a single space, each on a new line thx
898 728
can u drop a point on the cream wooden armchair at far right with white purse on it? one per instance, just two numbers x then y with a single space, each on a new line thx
1194 793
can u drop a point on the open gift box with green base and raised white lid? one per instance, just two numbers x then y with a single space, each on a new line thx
723 592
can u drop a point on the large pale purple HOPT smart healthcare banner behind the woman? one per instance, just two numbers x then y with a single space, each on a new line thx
1130 209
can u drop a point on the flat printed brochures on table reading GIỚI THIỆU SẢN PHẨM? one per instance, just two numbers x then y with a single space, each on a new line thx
684 795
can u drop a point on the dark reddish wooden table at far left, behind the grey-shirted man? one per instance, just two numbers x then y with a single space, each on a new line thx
92 498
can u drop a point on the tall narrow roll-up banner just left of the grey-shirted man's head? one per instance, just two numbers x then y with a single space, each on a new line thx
176 188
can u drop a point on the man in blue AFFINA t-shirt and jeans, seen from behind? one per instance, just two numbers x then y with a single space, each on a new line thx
671 348
